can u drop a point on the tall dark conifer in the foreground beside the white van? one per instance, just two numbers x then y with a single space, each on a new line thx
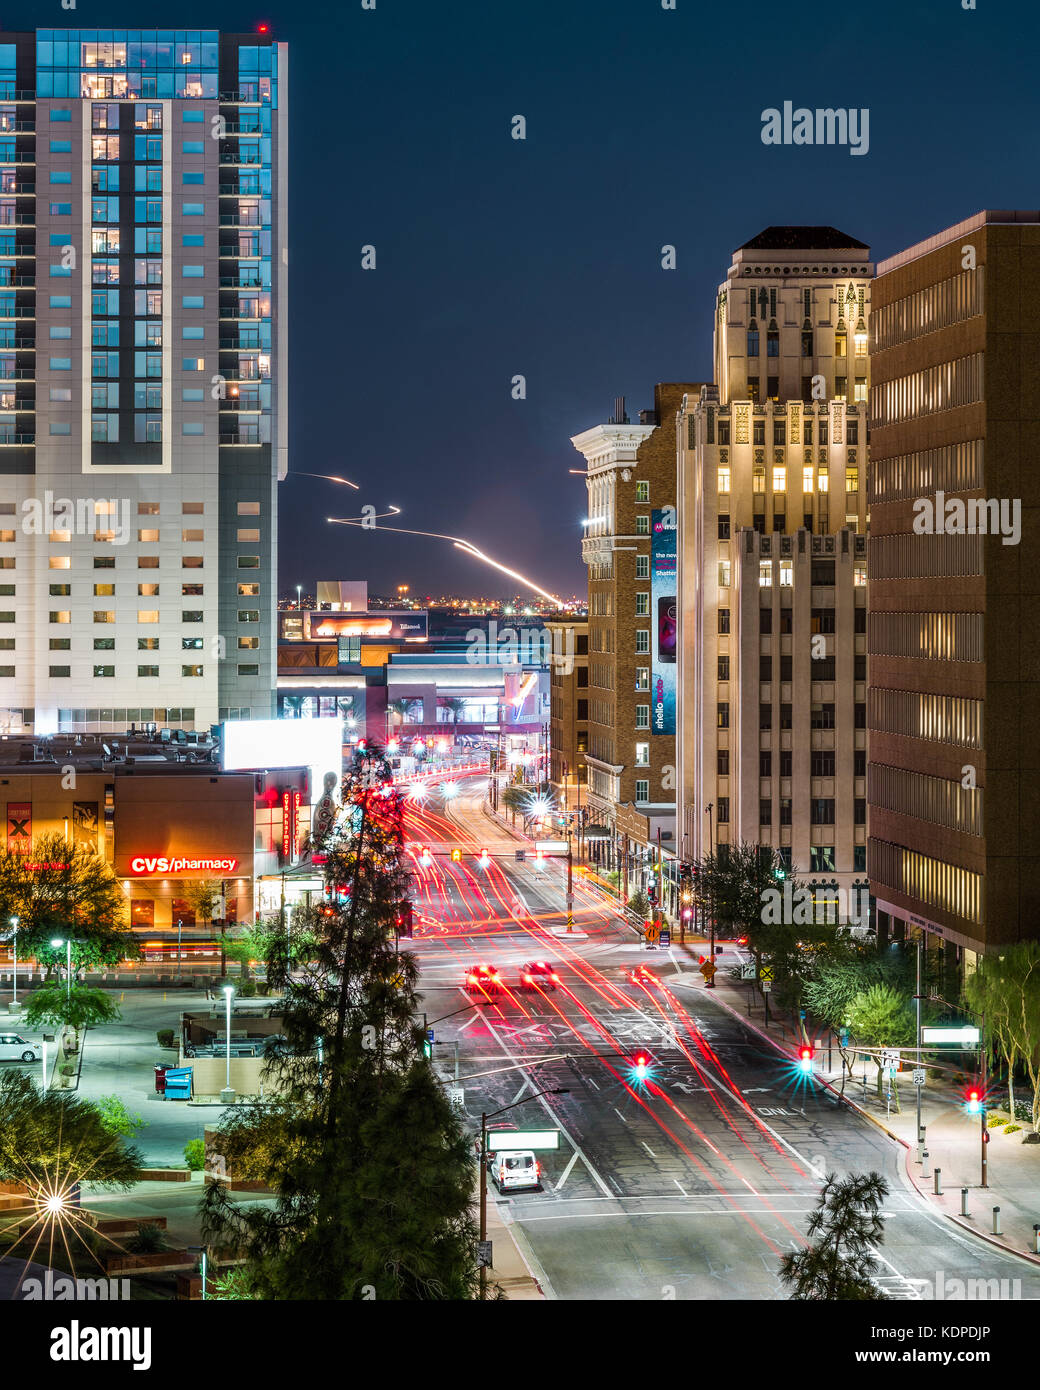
352 1218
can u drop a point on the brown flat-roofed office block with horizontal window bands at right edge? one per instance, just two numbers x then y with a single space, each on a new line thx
953 586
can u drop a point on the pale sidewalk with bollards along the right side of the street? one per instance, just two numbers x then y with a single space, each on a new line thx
953 1138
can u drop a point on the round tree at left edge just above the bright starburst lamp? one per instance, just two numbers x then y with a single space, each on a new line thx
52 1140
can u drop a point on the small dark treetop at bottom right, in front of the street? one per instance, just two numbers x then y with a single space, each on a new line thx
846 1225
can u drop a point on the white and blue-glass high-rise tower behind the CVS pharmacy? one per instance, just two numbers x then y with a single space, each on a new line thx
143 375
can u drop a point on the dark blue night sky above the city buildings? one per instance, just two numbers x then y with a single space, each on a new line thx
543 258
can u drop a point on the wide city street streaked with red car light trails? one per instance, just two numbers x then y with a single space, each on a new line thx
688 1185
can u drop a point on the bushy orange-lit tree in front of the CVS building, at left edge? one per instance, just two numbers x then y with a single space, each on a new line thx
62 890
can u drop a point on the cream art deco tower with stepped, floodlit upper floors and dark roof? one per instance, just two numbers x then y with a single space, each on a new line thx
772 562
